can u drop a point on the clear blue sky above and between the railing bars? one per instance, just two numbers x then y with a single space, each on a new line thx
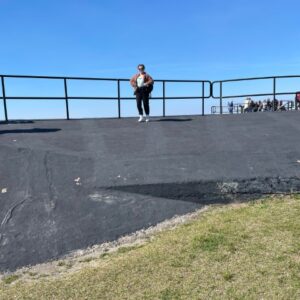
188 39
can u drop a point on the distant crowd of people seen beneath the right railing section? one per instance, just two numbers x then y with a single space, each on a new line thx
256 106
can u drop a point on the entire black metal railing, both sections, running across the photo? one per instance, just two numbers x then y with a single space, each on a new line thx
118 96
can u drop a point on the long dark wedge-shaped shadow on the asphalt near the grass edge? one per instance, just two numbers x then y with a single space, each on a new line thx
215 192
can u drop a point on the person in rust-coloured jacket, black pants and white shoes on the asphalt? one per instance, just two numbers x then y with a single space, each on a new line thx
143 85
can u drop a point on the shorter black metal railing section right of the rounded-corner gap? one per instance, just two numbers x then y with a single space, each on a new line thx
273 93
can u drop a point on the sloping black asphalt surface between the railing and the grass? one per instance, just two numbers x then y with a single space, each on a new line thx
67 185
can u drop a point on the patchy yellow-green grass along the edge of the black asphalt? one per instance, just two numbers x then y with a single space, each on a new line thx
247 251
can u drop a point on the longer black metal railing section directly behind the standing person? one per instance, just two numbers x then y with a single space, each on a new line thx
118 98
